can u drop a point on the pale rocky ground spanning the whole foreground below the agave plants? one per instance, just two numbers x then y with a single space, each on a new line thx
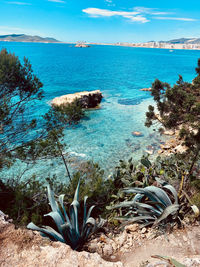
133 247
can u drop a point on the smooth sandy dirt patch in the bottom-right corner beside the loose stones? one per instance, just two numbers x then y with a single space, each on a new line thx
182 245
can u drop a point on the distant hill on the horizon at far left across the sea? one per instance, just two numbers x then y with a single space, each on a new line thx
26 38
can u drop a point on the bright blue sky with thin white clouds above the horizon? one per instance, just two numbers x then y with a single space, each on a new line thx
102 20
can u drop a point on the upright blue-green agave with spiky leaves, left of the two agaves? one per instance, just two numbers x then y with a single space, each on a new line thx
69 229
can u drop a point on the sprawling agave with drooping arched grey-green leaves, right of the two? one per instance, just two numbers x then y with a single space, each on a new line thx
150 205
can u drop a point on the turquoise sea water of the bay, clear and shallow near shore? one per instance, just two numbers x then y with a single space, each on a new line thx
120 73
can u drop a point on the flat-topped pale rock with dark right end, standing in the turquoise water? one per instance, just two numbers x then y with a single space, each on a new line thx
87 99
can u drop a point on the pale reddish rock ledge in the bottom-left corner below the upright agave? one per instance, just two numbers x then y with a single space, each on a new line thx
21 247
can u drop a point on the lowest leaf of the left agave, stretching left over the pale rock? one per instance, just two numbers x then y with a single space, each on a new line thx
47 231
